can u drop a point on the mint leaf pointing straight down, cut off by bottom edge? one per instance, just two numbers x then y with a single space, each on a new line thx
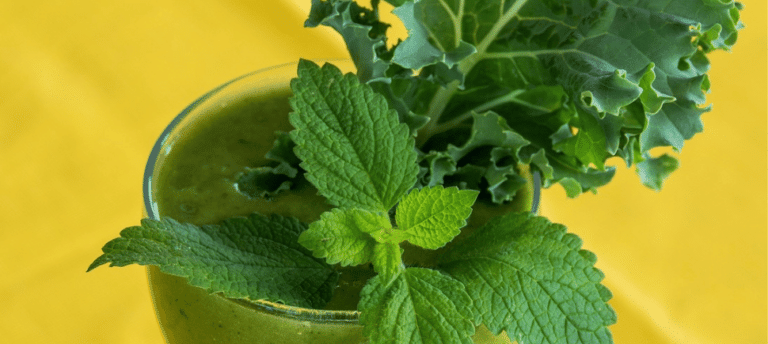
418 306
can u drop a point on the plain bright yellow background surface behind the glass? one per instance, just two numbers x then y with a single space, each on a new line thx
87 86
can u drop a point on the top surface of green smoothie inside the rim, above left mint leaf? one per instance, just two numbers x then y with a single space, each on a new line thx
198 175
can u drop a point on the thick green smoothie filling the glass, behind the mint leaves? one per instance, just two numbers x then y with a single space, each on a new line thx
195 181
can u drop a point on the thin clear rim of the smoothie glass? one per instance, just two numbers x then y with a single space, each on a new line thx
278 309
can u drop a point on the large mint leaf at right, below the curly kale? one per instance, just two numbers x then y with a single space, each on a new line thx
532 279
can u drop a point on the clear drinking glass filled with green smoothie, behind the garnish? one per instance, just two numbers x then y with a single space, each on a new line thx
191 176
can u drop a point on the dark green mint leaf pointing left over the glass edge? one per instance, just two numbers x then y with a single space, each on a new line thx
257 257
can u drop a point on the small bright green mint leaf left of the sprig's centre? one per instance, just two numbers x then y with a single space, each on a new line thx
340 235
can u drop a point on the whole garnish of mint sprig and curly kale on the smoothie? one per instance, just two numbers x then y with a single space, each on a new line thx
478 93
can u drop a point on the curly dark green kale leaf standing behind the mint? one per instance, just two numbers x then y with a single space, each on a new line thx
581 82
